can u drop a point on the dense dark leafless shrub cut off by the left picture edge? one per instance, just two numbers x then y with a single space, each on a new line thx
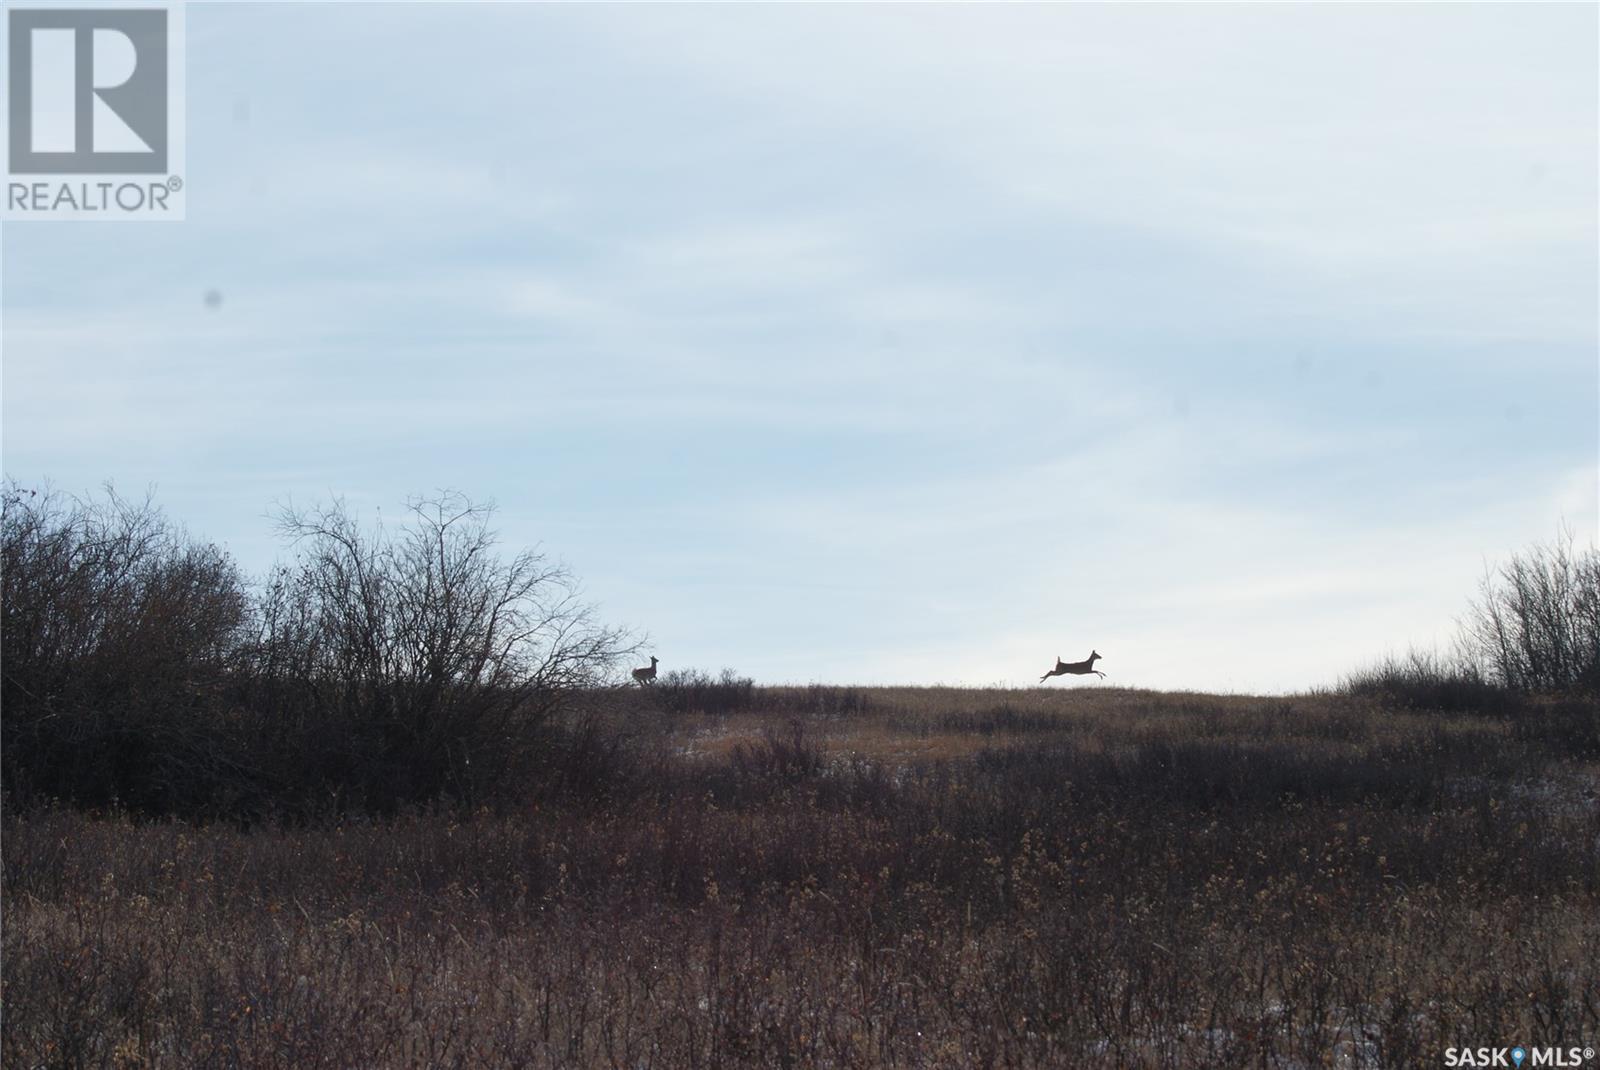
119 633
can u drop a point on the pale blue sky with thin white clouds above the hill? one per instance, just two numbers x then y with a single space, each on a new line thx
873 345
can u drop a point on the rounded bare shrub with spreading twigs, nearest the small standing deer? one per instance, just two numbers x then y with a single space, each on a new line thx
423 661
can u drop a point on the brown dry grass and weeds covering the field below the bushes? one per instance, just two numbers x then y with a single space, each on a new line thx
862 879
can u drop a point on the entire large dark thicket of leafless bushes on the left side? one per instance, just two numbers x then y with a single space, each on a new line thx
375 669
